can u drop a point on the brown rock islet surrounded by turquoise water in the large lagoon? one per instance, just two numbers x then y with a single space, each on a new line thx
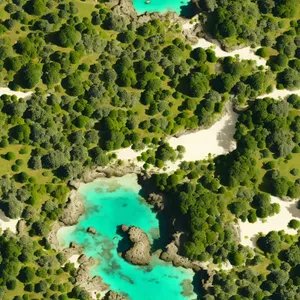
139 253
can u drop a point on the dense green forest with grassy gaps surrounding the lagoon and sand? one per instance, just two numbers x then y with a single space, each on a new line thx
101 83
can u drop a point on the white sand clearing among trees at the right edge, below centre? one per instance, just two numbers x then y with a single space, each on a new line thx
288 211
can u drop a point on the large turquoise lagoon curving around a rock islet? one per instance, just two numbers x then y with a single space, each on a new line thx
109 203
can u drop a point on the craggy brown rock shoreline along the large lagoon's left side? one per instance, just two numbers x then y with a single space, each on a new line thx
71 214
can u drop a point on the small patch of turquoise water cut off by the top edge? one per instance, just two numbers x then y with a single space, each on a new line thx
159 6
